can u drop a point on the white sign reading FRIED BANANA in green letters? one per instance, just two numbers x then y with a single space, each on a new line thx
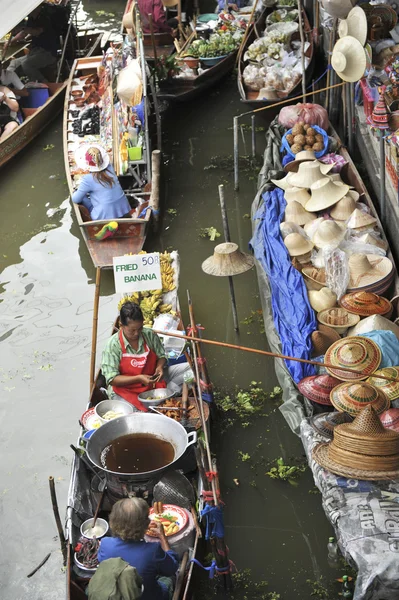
137 273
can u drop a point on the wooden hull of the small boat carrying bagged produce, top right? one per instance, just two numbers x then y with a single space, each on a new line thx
251 97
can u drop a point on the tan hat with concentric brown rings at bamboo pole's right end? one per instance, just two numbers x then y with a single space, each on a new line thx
359 353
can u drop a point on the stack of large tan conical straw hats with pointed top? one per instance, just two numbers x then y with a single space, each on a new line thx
362 450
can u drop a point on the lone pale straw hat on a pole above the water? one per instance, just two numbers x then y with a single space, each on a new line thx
227 260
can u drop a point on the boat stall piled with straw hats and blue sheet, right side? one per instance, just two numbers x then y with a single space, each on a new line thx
326 275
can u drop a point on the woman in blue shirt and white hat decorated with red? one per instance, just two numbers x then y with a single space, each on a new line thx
99 191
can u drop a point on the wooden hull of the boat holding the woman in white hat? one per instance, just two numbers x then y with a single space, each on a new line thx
131 233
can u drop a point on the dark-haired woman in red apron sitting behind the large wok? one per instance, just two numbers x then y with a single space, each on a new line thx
133 359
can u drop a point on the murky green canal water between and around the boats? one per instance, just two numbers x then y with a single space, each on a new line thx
275 529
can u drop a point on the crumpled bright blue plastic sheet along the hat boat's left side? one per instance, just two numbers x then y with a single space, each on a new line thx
293 316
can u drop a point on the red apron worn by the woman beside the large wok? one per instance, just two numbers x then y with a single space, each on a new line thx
137 364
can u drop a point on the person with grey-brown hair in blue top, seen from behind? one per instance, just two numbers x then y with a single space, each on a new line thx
155 562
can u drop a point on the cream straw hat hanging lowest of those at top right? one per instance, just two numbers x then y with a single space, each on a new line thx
348 59
